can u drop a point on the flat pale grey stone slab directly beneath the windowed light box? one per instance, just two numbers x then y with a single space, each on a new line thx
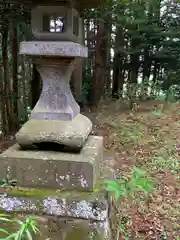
56 48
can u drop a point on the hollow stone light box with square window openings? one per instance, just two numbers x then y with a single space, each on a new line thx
60 22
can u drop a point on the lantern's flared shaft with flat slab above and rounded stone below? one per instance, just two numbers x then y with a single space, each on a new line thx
56 117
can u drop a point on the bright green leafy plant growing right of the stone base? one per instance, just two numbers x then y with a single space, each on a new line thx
125 187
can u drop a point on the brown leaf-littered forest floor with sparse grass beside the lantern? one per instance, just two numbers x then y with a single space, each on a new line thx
146 137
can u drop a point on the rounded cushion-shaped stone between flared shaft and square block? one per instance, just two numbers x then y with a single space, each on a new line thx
72 134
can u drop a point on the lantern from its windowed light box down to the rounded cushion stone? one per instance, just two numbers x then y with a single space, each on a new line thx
56 116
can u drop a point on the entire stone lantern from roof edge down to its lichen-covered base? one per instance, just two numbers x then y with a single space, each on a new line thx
54 148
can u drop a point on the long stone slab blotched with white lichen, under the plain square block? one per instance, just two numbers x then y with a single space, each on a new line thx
60 207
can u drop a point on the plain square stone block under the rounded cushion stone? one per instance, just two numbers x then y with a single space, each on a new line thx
52 169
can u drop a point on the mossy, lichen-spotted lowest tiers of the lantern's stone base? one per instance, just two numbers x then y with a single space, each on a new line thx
62 214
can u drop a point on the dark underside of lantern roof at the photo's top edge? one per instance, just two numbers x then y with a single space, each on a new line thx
79 4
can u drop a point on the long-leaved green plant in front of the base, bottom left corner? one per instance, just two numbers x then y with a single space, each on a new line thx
25 231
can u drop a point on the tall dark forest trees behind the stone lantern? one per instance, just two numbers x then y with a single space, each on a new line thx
134 53
